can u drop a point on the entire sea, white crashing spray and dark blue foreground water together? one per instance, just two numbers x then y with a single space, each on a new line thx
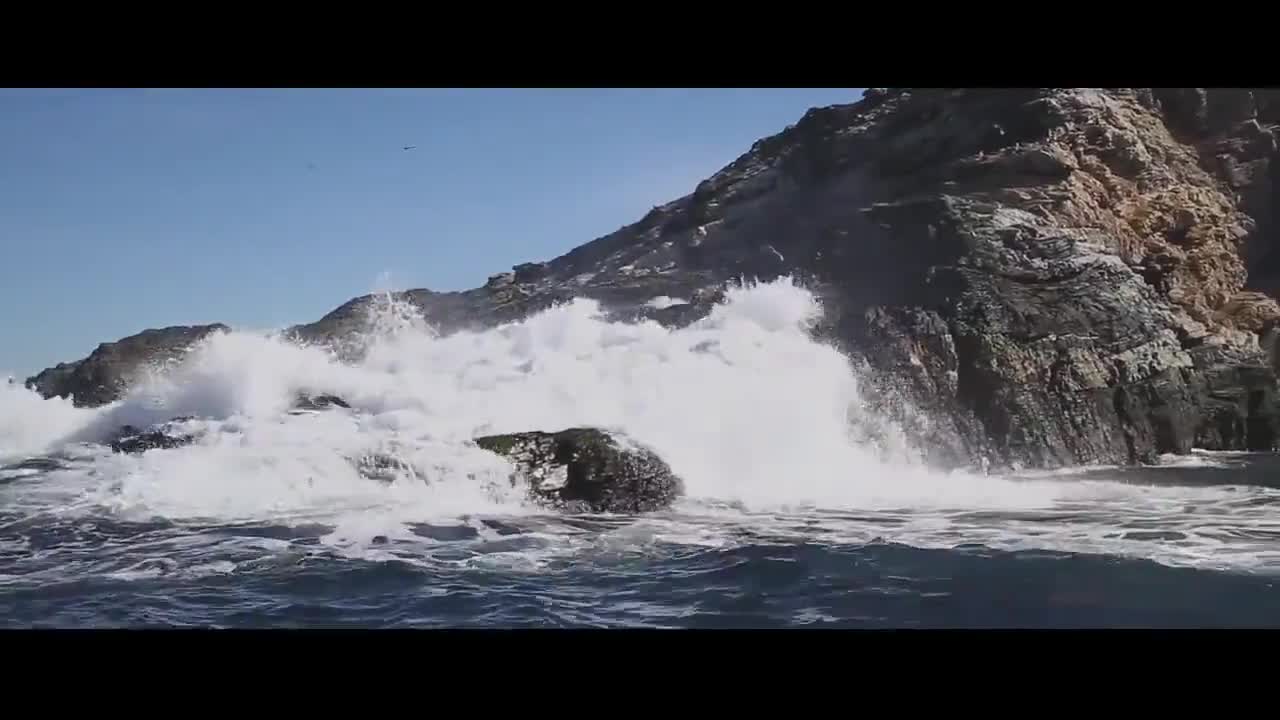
801 509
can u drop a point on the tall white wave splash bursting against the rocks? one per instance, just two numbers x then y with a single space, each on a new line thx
744 405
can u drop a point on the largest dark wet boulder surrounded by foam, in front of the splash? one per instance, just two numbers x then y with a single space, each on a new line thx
588 471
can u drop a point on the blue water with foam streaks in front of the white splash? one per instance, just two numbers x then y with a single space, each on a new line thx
76 571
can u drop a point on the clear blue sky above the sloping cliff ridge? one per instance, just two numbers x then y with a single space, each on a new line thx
127 209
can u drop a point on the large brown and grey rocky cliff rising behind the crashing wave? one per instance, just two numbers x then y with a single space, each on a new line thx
1030 276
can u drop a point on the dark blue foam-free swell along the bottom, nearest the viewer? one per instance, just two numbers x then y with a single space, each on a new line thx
781 586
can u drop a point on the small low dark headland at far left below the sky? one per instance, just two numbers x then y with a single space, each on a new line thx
108 372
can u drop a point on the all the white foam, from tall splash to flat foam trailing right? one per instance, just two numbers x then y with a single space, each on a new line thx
744 405
